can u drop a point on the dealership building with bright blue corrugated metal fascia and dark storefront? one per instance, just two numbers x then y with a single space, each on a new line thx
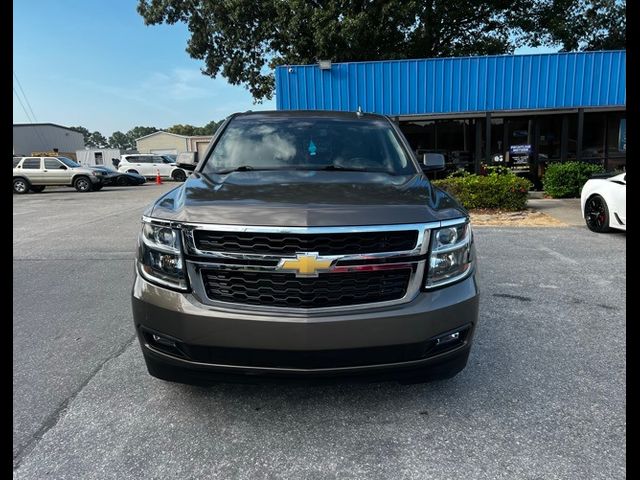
522 111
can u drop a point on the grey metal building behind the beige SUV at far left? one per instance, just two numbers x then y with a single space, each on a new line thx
45 137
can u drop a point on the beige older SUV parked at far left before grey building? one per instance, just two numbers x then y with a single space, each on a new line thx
35 173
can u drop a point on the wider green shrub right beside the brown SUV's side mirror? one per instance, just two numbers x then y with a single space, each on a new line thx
501 191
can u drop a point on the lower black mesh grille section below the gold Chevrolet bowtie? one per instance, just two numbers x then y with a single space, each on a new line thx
277 289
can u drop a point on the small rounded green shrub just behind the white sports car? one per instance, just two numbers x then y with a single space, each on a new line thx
564 180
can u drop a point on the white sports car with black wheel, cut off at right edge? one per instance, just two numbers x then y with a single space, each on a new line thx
604 203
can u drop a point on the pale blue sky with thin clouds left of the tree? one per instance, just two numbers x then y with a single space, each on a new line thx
94 63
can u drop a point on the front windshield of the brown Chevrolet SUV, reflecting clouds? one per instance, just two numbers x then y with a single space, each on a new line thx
309 143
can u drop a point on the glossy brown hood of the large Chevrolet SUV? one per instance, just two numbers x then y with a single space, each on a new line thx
306 198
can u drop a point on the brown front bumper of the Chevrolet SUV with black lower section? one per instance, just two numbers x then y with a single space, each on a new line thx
217 342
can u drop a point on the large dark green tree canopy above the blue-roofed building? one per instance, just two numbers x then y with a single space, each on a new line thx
243 39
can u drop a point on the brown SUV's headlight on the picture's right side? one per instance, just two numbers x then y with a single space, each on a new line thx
450 258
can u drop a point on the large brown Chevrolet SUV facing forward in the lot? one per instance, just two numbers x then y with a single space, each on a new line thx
306 244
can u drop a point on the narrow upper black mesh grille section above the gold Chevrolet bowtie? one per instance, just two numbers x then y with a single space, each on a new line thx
291 243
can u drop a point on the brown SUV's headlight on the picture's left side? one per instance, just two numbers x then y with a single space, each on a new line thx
160 256
